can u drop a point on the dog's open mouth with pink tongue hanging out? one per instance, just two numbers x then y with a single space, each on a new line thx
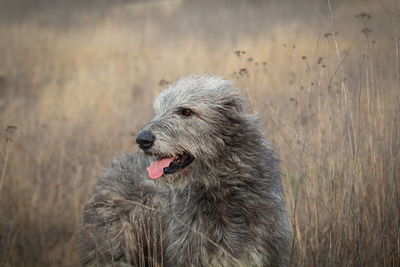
169 165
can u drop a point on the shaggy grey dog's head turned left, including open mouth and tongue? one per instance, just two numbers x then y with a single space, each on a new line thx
193 119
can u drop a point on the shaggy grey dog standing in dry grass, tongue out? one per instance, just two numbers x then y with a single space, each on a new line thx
211 194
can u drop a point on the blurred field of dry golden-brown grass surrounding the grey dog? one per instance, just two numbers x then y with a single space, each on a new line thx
77 81
